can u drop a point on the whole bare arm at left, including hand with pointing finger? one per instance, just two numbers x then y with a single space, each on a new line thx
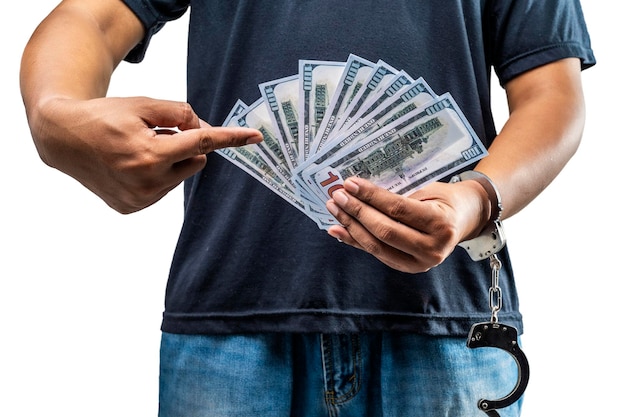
108 144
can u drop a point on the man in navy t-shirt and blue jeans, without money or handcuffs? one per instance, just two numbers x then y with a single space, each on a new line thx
265 313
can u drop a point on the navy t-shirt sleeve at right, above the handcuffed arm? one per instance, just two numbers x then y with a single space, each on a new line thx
530 33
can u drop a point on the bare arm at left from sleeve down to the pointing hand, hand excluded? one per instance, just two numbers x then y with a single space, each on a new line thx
74 51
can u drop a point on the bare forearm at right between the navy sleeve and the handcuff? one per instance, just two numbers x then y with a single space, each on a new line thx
543 132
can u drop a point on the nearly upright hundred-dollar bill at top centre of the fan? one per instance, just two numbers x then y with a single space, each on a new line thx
318 81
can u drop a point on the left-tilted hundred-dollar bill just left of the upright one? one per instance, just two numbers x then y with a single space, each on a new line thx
282 100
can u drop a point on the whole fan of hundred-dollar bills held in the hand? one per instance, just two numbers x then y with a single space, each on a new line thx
334 120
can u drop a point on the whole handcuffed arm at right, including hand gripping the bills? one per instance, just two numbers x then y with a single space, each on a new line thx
416 233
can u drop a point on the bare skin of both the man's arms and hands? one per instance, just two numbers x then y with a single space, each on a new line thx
110 144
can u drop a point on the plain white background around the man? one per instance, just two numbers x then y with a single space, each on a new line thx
81 287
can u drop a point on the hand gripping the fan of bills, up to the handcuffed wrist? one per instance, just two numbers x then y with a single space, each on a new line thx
411 234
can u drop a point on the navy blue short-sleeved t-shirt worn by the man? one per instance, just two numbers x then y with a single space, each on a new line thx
247 261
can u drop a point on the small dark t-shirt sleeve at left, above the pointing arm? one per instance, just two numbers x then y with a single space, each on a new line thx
153 14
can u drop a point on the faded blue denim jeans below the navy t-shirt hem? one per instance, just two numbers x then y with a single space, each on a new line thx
311 375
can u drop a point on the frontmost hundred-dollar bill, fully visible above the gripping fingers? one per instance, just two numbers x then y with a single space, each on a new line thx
422 146
